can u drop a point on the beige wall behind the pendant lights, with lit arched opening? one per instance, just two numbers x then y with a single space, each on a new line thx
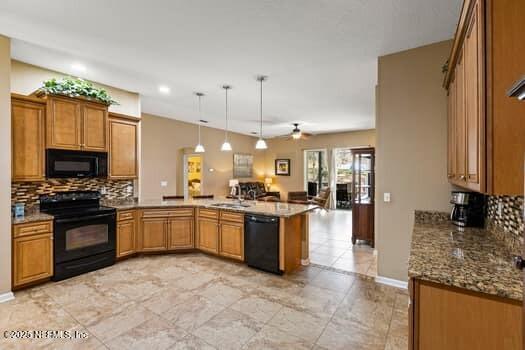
165 141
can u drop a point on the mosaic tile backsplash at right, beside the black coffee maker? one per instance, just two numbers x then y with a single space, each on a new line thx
507 222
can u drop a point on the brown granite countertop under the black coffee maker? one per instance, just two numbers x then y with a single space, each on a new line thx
473 259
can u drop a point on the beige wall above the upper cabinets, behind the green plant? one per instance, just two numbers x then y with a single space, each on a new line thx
26 78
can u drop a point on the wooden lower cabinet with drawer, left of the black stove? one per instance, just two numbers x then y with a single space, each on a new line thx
32 253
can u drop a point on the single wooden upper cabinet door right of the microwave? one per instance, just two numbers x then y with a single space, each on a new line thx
122 149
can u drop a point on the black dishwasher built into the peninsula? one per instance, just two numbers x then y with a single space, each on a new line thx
261 242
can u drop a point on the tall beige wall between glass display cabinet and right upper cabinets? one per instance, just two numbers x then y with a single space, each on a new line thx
411 149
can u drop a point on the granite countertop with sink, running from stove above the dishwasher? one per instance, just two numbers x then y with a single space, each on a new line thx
278 209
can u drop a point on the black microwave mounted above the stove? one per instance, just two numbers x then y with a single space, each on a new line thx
63 164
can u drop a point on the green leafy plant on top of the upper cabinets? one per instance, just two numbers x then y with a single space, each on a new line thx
76 87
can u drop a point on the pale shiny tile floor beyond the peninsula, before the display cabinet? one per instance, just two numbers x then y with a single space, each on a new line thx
331 244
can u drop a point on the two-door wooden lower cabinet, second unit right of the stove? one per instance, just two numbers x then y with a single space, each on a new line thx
162 230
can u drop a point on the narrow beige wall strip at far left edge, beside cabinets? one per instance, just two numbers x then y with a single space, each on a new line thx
5 165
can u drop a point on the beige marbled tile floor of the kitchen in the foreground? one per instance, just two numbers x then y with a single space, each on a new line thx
193 301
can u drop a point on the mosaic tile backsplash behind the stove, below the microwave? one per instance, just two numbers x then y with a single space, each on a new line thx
28 192
